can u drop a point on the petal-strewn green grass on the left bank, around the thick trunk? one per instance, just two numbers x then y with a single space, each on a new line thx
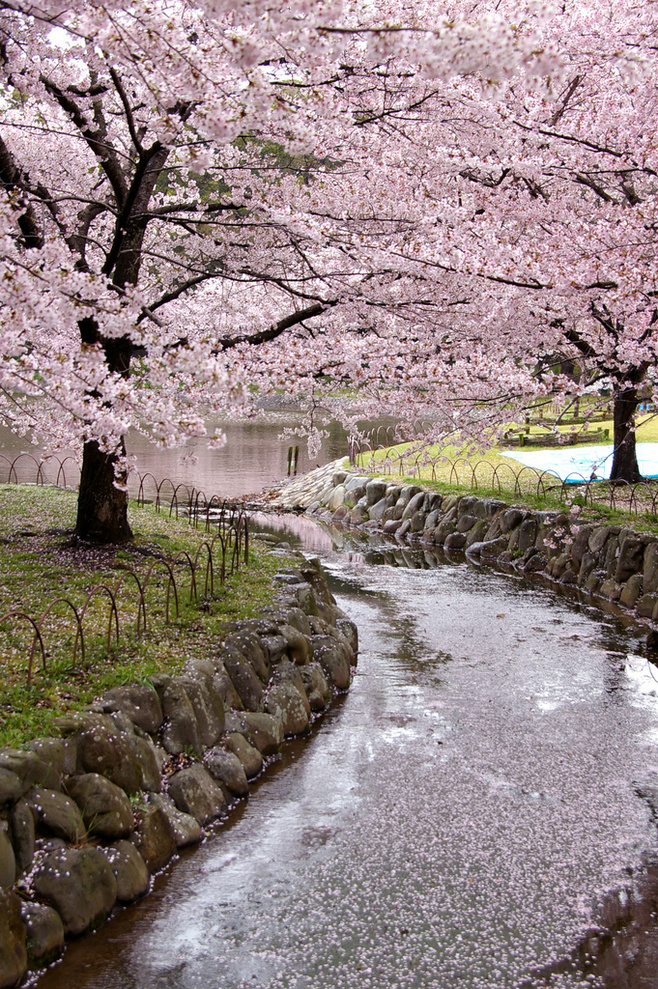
39 562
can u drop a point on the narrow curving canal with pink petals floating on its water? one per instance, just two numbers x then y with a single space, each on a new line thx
460 820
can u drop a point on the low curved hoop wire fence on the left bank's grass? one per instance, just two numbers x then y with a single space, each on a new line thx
132 598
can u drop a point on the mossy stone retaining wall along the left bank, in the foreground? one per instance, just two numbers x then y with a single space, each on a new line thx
88 818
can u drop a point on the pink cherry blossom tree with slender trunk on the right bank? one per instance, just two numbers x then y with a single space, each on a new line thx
520 221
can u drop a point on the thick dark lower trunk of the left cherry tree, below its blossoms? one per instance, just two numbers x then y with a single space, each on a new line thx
102 506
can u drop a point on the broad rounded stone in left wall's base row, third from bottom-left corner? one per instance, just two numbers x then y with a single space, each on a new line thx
79 884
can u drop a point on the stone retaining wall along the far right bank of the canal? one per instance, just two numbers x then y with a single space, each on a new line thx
607 561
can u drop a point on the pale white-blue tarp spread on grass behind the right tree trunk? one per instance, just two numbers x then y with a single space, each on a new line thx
577 463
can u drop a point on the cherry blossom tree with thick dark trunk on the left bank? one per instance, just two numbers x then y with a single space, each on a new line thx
140 150
